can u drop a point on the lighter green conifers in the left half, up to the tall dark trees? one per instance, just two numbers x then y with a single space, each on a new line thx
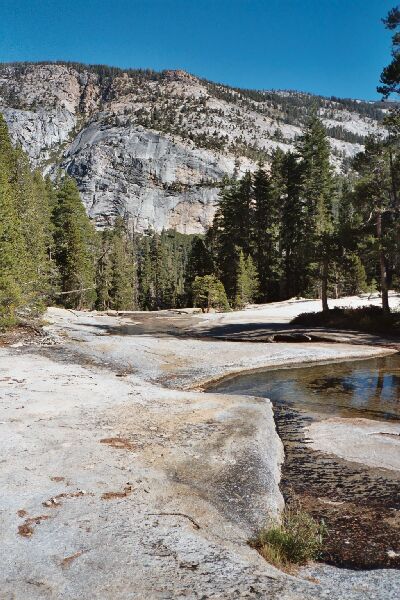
50 252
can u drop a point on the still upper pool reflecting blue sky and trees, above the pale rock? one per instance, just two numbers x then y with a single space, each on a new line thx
367 388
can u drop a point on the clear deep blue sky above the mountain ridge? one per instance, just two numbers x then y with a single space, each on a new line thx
331 47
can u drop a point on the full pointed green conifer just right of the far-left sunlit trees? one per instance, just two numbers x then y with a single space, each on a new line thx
75 248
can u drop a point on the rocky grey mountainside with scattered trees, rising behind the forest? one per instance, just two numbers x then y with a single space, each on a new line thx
156 145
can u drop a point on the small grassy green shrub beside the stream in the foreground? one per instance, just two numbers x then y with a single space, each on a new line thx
295 541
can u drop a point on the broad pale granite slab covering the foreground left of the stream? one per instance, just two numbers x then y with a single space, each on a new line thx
121 481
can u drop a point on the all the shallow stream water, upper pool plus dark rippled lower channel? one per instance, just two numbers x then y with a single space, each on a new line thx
360 505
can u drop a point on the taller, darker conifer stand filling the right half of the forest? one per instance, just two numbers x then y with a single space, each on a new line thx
299 229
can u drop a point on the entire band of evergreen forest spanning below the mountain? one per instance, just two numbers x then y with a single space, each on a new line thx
294 229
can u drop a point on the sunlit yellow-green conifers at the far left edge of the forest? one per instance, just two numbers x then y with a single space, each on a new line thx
26 266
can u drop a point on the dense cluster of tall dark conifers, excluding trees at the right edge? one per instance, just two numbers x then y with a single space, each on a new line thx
283 220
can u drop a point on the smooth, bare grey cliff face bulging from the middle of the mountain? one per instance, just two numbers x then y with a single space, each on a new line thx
158 182
